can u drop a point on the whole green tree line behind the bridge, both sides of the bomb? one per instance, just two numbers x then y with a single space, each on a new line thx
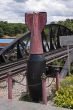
13 29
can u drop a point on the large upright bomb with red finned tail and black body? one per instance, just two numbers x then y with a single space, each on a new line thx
36 63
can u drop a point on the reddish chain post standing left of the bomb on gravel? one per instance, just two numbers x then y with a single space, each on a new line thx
9 85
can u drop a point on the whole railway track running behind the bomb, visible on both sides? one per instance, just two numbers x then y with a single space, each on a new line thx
21 65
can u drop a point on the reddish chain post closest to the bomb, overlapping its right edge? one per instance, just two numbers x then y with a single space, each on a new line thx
44 92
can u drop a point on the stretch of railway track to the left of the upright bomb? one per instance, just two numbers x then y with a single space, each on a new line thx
14 67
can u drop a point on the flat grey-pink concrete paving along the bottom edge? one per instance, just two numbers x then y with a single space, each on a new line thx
20 105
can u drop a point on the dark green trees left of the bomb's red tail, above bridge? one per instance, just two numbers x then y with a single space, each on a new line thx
12 29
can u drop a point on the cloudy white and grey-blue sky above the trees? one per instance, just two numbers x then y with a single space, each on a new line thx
14 10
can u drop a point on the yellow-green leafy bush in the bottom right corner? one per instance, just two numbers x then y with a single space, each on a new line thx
64 96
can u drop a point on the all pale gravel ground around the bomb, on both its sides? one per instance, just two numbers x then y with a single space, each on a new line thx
18 89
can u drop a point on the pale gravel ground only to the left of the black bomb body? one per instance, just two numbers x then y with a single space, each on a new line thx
17 88
